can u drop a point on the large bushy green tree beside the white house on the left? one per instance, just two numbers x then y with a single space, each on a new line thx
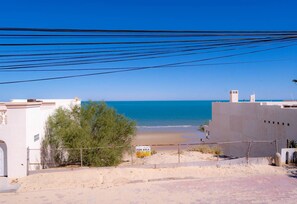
90 126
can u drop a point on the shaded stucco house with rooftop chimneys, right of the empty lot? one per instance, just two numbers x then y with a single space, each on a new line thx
252 121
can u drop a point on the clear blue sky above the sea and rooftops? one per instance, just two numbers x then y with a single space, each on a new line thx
268 80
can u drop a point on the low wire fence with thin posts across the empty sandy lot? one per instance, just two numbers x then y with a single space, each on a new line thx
161 155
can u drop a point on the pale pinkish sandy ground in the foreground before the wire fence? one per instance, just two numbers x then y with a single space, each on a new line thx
245 184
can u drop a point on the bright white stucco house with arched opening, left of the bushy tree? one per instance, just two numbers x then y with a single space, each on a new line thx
22 124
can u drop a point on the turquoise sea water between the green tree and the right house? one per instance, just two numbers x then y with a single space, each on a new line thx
165 113
